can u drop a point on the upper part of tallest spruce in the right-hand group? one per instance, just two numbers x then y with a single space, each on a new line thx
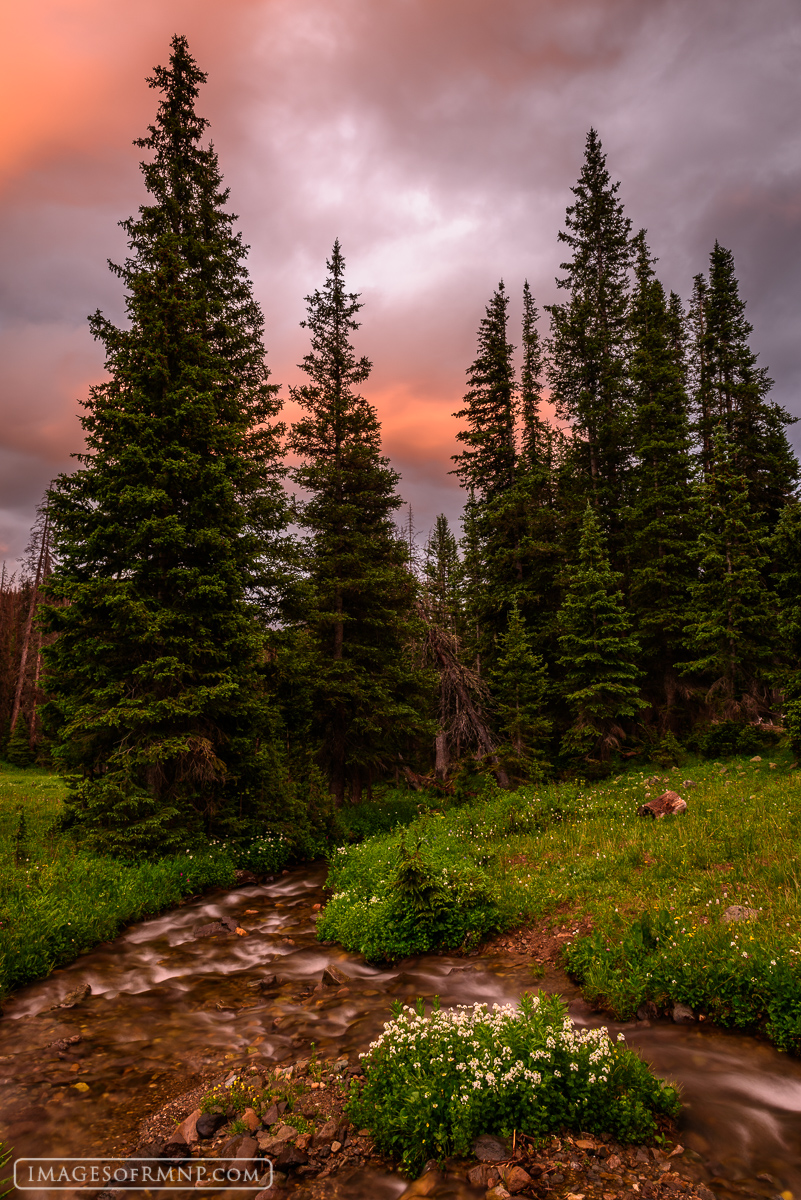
588 347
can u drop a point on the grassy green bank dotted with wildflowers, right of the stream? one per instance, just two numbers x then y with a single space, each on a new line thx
574 853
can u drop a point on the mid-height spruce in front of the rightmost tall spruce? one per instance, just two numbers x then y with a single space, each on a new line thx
731 614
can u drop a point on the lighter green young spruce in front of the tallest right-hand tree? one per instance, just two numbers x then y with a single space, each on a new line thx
599 651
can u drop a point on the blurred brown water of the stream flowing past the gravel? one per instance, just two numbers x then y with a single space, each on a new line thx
167 1006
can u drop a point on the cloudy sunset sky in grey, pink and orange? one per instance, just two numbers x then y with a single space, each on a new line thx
438 140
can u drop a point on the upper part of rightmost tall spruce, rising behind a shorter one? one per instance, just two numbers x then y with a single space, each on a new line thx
733 393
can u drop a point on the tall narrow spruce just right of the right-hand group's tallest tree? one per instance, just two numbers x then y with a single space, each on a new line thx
661 535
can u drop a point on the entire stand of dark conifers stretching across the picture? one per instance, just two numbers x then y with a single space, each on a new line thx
227 622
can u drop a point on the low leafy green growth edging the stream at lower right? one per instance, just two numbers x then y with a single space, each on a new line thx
726 971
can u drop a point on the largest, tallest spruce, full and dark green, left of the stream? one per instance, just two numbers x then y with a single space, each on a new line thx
164 535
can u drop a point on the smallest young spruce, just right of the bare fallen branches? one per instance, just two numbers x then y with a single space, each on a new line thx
520 683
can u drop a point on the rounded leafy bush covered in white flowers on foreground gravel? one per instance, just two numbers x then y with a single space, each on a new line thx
435 1083
